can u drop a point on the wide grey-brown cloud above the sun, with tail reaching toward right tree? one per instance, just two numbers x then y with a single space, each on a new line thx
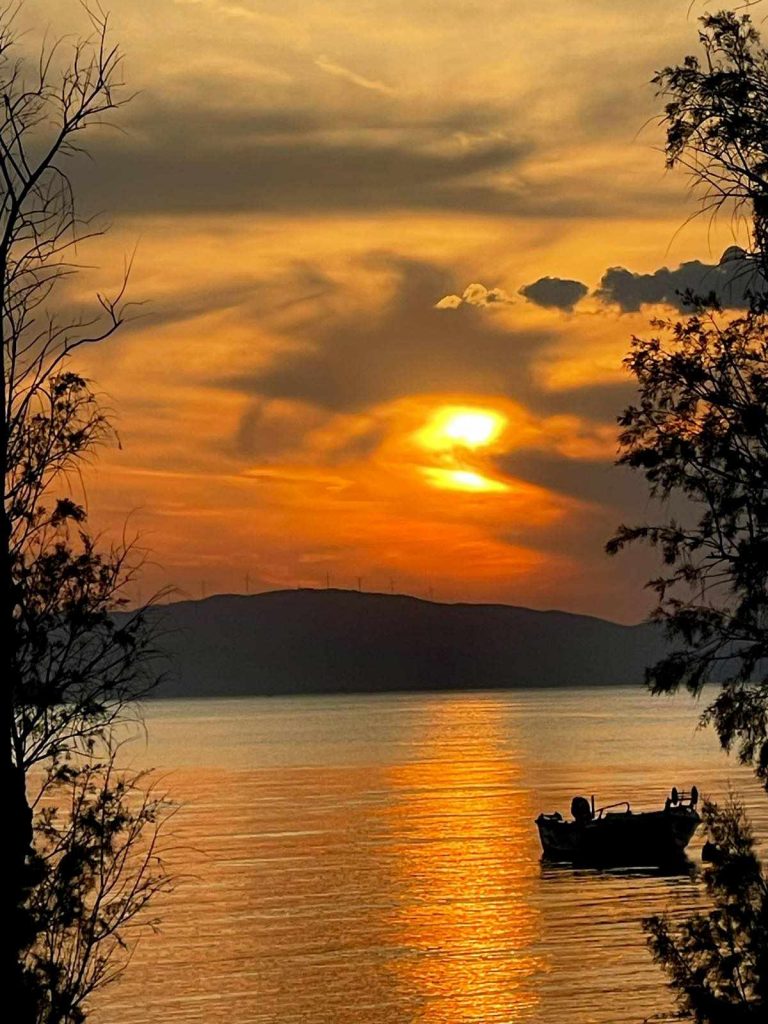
350 361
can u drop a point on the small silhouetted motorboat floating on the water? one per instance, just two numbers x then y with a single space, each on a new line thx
617 836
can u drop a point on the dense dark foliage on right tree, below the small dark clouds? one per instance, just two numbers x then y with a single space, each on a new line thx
700 433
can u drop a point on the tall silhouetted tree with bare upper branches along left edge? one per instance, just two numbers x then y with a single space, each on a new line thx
80 836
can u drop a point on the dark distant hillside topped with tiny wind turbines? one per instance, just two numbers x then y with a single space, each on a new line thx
318 642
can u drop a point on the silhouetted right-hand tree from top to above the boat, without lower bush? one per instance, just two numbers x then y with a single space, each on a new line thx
700 430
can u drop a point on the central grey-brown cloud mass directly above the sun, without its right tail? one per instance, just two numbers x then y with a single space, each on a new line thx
354 361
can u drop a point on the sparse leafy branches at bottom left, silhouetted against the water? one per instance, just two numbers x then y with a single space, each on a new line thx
94 869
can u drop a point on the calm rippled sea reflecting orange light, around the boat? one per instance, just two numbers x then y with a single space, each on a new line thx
351 860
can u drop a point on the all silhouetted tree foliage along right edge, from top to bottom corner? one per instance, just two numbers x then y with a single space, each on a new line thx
699 433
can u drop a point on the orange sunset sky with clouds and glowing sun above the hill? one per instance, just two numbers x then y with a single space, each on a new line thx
347 364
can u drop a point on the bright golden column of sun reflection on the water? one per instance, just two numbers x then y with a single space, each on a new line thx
461 828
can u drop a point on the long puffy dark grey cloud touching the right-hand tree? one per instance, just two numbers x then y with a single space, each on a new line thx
731 281
